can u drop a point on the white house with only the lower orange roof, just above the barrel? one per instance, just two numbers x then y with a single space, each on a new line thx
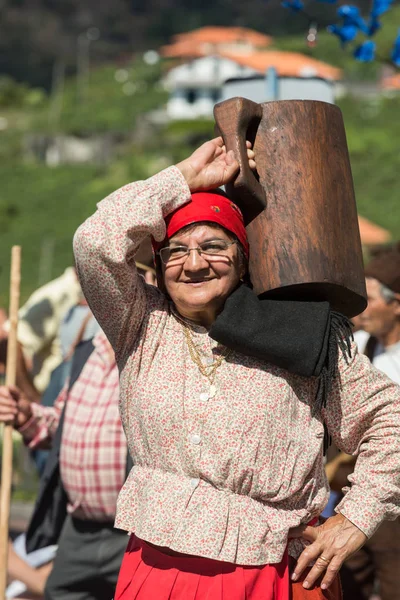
197 85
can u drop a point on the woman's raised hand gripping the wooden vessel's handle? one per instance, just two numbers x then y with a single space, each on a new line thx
211 166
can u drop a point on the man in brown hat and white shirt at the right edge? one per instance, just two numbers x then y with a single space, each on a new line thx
379 326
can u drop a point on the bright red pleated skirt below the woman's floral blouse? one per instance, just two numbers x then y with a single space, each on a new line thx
148 574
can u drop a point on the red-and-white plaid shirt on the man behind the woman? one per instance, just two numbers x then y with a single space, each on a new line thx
93 446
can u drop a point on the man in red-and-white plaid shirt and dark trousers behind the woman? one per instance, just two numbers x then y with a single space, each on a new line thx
93 457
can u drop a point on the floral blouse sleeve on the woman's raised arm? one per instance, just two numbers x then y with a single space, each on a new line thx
105 246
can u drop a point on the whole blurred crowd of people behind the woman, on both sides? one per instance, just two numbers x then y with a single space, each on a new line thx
71 549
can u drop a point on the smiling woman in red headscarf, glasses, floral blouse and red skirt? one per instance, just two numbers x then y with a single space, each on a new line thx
229 476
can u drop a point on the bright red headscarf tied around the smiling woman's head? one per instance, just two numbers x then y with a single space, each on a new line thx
208 206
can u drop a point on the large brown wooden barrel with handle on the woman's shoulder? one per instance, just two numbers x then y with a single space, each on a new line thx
299 207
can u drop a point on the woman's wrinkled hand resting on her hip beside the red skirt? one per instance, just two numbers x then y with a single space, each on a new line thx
331 544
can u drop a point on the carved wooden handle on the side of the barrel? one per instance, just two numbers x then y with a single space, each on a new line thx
237 120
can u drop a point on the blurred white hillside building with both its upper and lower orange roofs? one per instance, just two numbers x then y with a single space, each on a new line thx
217 63
